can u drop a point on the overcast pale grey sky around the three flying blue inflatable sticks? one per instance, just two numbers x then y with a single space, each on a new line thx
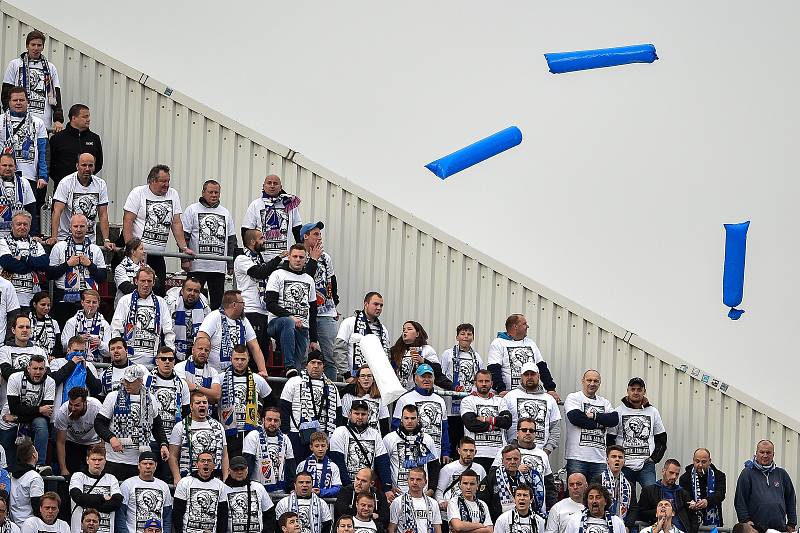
617 195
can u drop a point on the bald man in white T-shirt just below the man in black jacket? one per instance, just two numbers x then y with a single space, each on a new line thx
81 193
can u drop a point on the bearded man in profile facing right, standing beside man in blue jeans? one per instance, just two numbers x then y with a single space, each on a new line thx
252 272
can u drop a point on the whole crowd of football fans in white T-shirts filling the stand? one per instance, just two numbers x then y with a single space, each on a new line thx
163 417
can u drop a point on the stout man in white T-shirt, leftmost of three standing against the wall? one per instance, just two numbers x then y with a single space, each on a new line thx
151 211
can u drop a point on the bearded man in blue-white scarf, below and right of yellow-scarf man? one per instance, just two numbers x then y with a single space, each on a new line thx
269 454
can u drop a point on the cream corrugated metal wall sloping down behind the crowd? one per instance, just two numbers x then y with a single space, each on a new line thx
423 274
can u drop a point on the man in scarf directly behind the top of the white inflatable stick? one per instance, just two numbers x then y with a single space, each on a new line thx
364 322
